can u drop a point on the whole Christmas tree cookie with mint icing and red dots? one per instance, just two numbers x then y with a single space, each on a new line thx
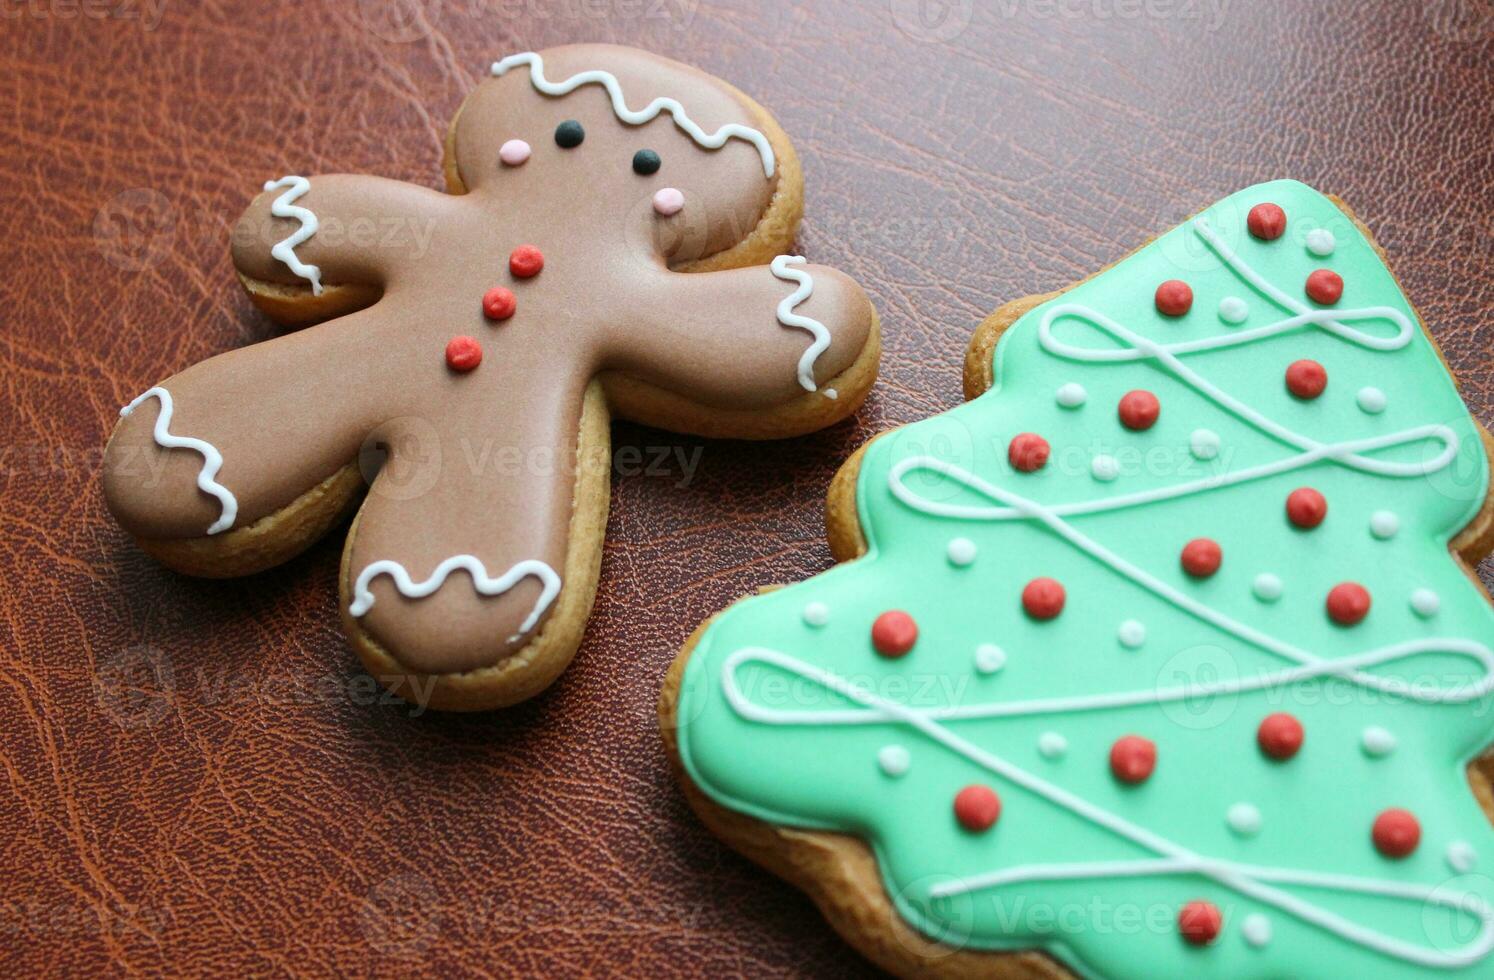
1160 658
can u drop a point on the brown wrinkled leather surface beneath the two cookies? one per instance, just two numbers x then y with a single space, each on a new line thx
198 776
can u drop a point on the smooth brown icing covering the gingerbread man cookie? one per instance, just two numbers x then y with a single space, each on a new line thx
483 464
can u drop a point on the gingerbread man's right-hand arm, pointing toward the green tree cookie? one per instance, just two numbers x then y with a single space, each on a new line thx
752 341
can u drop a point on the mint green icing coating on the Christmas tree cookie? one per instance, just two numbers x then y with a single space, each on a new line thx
1317 810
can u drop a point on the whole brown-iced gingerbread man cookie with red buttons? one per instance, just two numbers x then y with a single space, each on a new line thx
613 243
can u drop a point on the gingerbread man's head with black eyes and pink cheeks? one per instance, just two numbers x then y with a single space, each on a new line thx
663 155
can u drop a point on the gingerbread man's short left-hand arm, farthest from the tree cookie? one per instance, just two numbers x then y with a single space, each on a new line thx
335 231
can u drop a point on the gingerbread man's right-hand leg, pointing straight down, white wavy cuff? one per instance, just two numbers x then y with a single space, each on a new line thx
471 568
